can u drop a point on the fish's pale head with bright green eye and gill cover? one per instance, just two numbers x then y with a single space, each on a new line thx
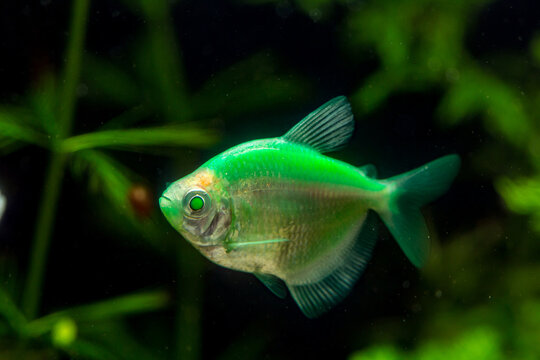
198 207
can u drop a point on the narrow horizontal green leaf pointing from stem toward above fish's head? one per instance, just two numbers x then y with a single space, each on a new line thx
134 139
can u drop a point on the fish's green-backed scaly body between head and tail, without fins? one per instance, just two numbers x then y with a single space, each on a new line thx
276 195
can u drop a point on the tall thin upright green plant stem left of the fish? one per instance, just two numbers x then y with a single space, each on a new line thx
53 182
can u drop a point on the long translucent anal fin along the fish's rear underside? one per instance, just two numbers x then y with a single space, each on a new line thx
317 298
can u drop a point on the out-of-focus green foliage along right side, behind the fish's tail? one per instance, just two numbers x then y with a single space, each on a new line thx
421 47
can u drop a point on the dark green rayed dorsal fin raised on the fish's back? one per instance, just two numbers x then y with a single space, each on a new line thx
326 129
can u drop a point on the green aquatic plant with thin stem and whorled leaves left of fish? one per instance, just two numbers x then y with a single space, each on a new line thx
46 120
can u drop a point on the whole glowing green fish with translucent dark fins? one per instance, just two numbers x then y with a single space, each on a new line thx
297 219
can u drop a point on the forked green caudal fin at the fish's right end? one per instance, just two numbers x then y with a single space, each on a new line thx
411 190
